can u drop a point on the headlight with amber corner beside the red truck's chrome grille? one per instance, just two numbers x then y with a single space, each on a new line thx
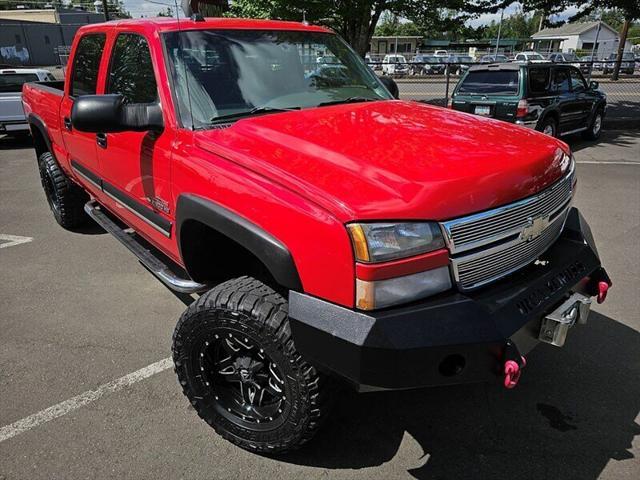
381 242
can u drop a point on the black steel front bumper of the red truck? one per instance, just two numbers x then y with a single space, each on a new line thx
452 337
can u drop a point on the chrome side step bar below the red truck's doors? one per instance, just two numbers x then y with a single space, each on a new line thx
151 261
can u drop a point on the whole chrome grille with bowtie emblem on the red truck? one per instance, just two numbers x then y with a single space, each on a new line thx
492 244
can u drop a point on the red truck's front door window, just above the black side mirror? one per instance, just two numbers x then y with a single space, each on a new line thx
131 70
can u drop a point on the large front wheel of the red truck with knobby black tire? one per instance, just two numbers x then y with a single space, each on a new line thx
238 366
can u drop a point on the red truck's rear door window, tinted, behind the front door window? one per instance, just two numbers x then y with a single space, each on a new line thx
86 64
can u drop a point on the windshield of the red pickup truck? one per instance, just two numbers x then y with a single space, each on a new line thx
219 75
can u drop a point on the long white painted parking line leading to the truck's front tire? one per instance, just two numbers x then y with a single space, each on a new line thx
81 400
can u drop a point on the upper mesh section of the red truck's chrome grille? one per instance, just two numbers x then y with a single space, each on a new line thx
476 230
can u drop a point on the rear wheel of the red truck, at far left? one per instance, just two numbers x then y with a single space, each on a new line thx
65 198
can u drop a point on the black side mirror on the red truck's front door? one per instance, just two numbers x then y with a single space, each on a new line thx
110 114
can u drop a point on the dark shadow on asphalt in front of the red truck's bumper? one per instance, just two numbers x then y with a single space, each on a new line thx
572 413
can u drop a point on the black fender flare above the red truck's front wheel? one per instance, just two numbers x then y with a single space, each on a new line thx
268 249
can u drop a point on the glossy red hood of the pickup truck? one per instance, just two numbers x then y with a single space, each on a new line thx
392 159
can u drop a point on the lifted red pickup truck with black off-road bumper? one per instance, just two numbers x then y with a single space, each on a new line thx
335 233
